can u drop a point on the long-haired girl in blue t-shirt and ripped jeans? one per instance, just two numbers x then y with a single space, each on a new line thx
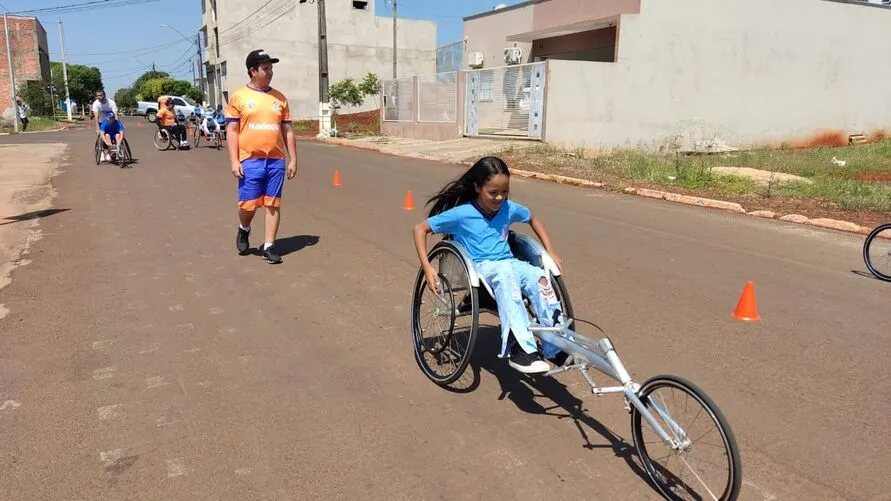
476 211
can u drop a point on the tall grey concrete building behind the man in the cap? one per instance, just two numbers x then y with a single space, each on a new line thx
358 42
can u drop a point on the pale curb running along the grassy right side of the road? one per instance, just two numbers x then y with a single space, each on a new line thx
832 224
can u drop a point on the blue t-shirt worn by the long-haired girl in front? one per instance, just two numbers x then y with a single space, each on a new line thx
484 236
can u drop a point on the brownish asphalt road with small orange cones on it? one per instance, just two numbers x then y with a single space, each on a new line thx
149 361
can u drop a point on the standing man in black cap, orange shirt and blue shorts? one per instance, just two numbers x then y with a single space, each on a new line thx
258 126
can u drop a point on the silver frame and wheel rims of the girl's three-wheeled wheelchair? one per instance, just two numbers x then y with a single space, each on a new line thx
586 353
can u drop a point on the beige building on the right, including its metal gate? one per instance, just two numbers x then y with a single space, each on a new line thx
682 74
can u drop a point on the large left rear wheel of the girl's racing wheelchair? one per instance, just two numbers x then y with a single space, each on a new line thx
444 325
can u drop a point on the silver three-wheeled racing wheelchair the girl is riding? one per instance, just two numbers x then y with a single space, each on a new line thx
443 350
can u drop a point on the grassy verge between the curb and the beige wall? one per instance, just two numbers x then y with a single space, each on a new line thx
850 182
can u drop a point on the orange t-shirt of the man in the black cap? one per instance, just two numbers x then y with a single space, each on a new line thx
260 116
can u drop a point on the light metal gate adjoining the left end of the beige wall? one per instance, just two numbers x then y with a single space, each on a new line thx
508 100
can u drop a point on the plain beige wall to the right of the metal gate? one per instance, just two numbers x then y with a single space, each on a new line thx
750 73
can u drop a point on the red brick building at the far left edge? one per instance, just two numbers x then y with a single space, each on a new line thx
30 58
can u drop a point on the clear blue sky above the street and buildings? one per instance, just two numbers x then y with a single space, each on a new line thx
138 40
